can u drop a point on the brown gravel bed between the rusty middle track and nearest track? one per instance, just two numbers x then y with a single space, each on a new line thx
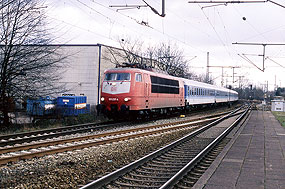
72 169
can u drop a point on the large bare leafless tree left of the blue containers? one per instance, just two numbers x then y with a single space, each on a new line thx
27 64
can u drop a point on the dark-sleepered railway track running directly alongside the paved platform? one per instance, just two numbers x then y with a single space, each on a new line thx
166 167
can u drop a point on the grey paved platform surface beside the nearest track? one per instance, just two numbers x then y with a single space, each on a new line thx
254 158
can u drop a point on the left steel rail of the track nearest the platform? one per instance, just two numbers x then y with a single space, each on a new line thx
116 174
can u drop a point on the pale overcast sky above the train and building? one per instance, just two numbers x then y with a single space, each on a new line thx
194 28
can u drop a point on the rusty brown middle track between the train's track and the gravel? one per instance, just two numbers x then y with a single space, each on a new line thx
38 149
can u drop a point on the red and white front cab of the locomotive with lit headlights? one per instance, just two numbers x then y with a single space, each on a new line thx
121 90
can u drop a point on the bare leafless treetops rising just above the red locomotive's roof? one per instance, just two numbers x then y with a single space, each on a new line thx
165 57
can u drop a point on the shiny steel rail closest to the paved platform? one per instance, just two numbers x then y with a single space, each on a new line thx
179 175
